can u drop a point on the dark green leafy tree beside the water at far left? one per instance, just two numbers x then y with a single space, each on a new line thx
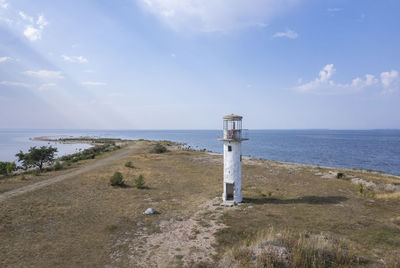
37 156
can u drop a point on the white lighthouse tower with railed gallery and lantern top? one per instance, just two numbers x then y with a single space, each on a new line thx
233 135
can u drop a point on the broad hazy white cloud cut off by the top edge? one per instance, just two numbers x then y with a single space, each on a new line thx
216 15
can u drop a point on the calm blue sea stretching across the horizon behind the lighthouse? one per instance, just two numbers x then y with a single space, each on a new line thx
377 150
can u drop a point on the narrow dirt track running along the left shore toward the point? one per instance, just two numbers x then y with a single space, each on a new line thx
32 187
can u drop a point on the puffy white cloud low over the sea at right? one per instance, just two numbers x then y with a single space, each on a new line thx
324 84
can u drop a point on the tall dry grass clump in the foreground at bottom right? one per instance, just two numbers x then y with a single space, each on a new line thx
288 249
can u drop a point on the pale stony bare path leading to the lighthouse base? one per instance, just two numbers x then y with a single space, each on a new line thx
179 242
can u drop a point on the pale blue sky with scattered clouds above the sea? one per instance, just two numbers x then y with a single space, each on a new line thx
183 64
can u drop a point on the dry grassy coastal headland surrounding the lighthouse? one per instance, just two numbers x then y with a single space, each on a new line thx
292 214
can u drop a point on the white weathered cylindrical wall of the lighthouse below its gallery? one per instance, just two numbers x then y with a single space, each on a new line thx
233 168
